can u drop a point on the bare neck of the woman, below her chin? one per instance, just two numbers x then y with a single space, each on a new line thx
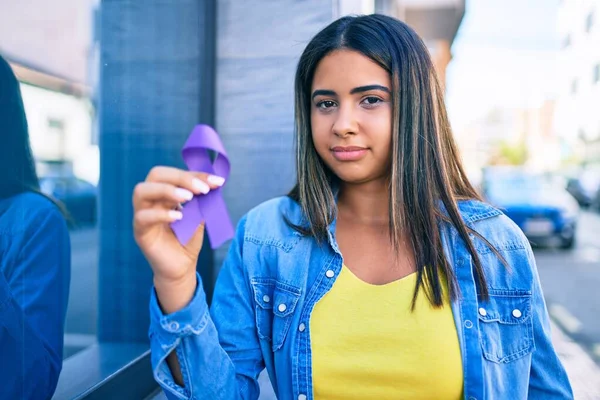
365 203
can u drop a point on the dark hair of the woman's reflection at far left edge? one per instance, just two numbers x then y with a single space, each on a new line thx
17 168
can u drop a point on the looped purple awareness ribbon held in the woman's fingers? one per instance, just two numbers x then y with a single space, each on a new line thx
209 207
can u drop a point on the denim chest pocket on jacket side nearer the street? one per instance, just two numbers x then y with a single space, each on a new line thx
506 326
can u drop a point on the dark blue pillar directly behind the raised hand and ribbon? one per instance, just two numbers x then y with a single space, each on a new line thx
156 83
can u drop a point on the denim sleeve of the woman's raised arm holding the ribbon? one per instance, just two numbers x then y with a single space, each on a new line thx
218 350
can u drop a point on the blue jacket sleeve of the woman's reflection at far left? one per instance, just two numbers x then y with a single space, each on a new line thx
33 302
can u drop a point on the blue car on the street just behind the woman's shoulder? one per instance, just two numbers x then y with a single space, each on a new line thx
538 204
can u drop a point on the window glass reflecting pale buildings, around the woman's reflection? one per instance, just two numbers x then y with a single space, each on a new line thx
54 71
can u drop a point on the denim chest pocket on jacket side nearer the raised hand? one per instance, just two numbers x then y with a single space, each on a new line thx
275 306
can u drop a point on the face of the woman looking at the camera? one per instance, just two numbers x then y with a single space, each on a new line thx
351 116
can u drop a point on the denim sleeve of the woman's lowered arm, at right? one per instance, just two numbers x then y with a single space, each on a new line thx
548 379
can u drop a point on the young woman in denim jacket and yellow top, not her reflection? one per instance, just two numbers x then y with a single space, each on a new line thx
382 275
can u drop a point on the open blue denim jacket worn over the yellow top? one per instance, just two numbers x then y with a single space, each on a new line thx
273 276
